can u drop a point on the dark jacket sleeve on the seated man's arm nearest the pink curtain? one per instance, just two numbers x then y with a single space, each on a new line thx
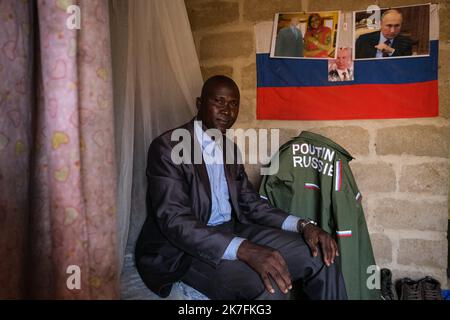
171 204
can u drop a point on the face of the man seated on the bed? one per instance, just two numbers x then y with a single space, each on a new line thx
219 107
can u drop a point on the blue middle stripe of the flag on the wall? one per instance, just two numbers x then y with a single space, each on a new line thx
311 72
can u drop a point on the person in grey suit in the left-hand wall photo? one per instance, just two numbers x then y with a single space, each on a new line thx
289 41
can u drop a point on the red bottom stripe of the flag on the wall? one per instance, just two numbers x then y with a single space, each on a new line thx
348 102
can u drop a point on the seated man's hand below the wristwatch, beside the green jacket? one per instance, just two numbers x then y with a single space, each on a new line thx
313 236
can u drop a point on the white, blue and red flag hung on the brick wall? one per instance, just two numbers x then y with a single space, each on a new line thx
298 89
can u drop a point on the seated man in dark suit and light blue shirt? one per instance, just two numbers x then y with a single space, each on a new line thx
208 227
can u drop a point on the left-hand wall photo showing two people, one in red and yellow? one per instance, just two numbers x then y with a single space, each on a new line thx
305 35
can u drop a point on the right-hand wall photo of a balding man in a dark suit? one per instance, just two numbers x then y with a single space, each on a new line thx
396 32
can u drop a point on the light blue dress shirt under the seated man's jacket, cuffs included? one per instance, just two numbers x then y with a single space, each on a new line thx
221 207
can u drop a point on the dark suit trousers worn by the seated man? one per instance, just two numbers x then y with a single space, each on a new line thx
235 280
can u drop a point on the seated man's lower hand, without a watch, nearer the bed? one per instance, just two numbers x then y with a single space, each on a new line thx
268 263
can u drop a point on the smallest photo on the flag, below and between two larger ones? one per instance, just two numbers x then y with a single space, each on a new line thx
341 68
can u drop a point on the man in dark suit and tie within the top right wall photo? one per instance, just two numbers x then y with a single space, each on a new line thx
387 42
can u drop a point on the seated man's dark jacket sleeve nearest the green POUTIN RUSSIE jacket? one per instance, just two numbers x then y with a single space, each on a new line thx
253 206
